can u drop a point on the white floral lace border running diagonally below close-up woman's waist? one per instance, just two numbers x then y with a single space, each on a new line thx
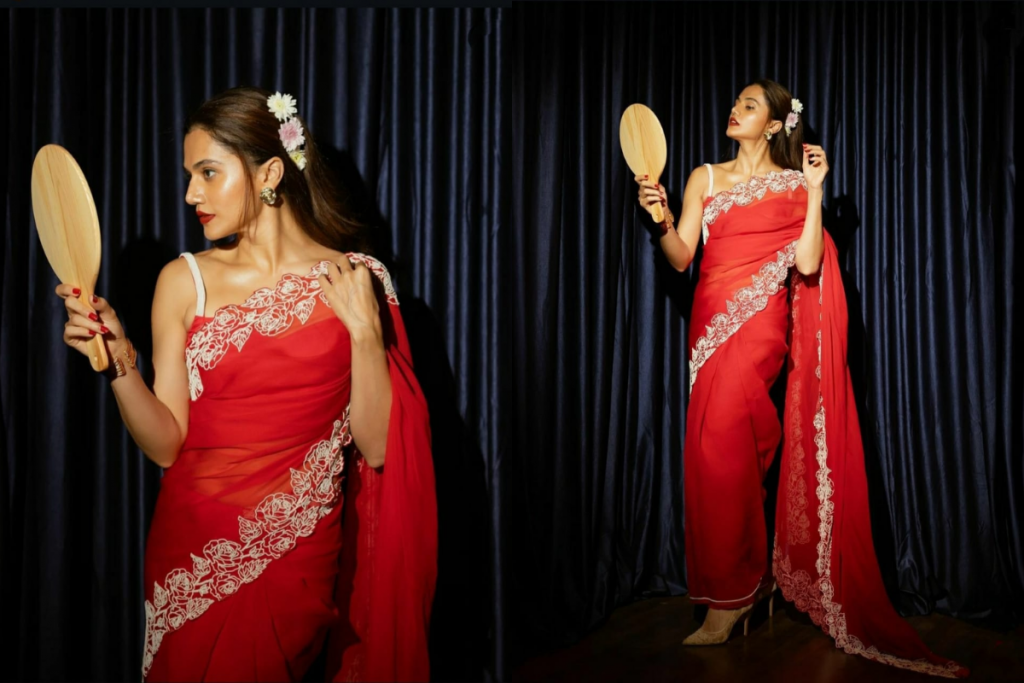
278 523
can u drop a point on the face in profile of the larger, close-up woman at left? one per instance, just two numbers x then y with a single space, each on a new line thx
218 185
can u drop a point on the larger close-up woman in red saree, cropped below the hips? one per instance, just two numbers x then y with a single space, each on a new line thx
281 365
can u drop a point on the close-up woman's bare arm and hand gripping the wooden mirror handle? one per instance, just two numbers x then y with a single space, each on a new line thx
157 421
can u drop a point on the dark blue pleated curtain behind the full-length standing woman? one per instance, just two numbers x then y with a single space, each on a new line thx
915 104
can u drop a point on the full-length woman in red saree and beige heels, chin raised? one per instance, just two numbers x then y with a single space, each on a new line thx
764 223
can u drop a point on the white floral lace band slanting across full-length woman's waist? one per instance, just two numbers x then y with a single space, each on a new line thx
746 305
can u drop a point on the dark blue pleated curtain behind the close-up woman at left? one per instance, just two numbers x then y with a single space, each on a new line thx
410 108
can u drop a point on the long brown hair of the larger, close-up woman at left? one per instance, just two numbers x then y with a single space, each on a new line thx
239 119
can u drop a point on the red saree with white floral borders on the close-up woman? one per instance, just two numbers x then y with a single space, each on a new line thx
253 560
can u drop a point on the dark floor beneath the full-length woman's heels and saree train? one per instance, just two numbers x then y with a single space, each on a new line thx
643 643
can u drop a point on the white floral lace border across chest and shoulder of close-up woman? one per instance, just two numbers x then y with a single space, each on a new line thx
268 312
